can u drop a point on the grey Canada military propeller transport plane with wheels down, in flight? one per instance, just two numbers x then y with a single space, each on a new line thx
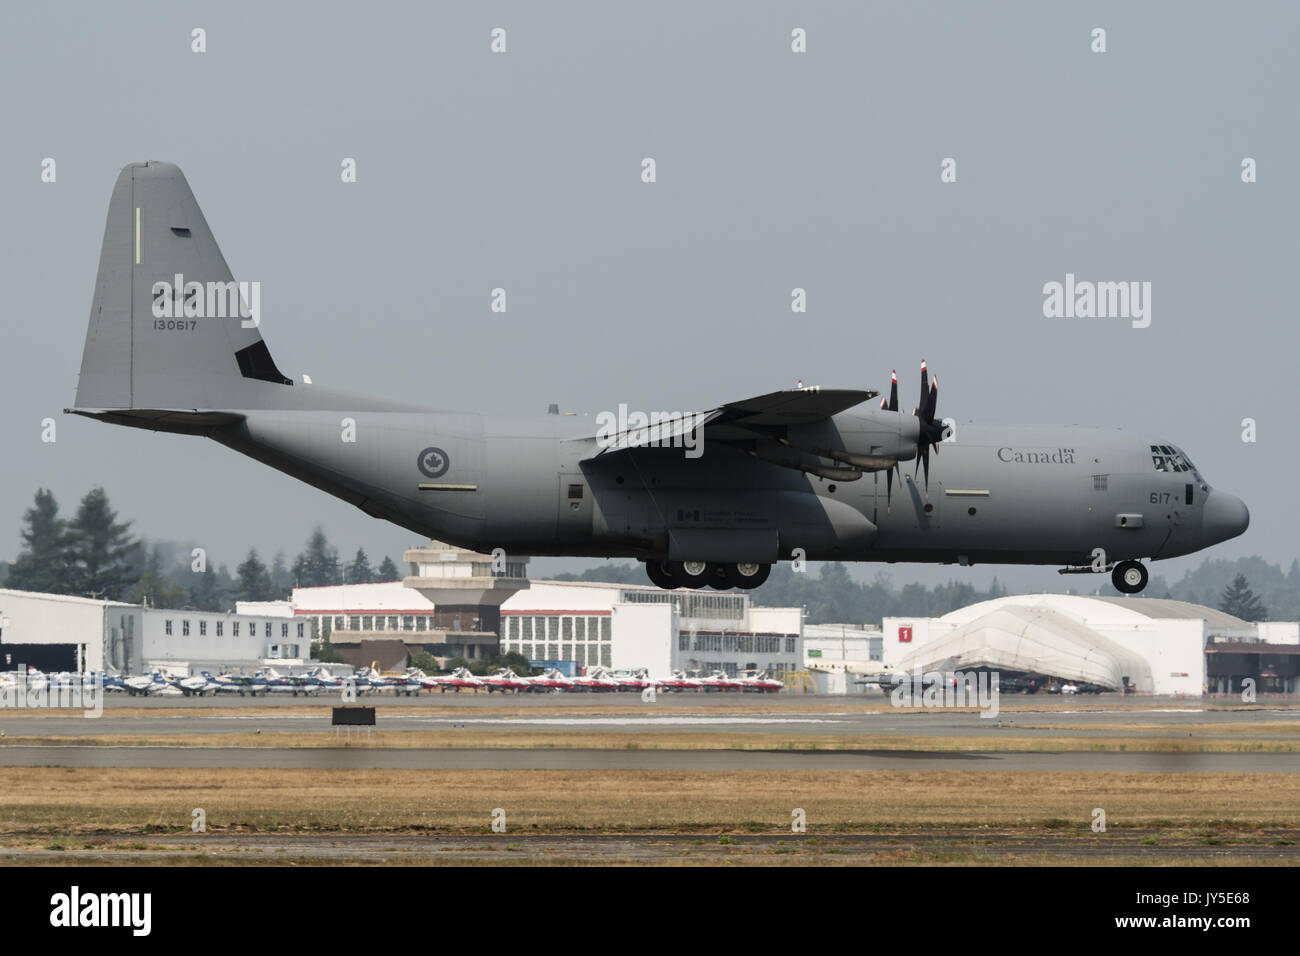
712 499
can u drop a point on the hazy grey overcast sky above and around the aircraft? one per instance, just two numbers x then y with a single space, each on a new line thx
774 171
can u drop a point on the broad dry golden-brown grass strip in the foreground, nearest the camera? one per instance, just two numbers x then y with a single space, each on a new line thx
554 817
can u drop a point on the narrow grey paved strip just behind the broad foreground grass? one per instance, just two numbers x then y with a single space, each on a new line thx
361 758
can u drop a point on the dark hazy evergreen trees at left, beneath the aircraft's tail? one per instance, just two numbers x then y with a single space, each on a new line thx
94 555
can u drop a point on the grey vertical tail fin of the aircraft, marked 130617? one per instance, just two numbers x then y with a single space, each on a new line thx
205 353
